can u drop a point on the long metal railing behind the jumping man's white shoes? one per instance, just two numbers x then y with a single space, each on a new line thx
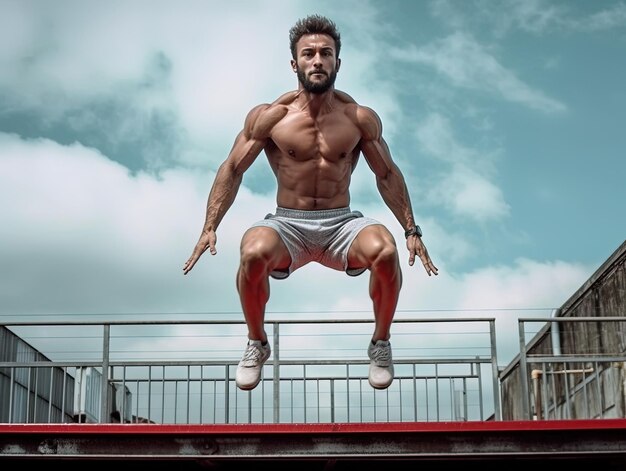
183 372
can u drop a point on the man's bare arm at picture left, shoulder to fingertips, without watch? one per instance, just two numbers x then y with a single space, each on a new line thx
247 146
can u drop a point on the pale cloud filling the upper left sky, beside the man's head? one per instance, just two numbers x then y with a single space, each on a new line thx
184 59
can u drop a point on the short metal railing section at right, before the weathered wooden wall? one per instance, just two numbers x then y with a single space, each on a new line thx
573 372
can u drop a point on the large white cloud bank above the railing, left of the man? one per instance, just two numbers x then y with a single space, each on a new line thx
81 234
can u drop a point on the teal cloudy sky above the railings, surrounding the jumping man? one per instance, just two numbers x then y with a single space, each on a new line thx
506 118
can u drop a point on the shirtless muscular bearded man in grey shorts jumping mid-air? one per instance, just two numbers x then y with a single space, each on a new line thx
313 138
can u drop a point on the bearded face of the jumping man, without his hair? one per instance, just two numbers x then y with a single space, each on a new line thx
316 64
